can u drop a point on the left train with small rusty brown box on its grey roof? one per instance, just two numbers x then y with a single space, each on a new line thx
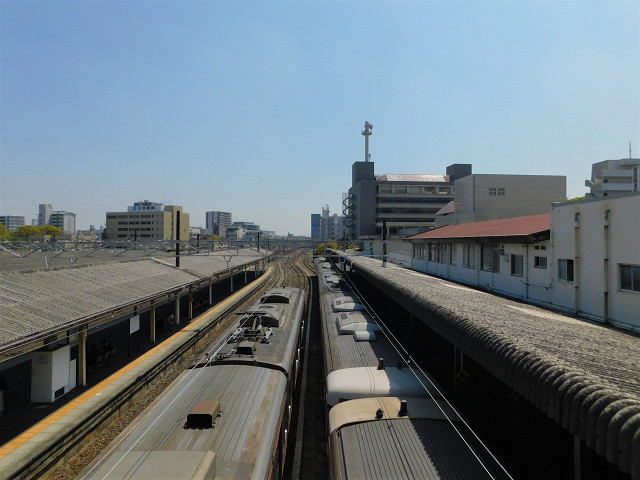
228 415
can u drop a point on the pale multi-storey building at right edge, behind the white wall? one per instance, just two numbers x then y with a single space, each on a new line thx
613 177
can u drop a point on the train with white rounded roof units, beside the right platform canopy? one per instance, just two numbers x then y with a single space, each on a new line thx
387 418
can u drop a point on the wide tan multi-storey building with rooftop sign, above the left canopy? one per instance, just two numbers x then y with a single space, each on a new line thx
147 221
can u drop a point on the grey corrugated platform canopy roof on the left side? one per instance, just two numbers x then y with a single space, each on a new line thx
38 303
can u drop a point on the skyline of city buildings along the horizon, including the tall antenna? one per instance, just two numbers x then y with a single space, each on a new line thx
393 205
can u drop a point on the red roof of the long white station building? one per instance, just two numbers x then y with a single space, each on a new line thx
506 227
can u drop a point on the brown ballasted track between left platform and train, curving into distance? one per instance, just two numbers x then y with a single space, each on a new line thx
291 270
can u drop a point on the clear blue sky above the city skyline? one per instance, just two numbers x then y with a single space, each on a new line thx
257 107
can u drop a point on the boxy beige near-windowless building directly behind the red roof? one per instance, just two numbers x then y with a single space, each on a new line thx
479 197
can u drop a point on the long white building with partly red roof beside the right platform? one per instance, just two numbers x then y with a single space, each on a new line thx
582 258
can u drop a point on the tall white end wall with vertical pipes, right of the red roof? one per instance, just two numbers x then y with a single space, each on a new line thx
579 232
